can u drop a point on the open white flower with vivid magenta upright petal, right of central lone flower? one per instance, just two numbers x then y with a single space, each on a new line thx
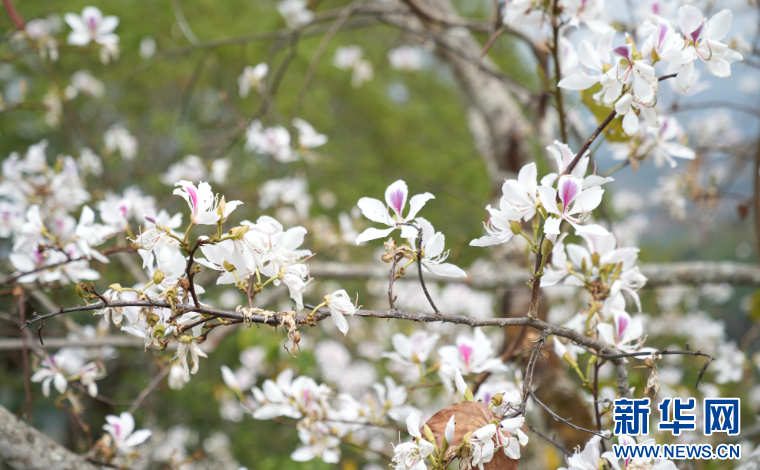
573 199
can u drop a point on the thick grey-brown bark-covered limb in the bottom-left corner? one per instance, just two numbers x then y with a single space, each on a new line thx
25 448
